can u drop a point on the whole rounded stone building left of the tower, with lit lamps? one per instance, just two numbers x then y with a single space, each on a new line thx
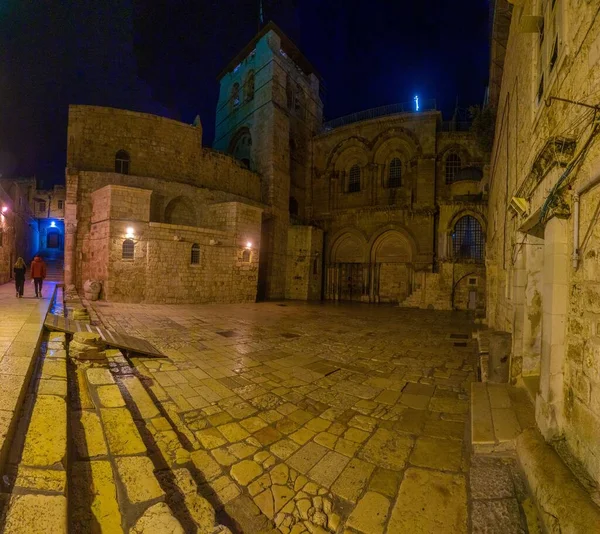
190 215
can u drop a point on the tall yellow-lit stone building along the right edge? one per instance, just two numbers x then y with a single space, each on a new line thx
543 241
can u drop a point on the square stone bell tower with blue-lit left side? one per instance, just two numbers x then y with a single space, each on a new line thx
269 109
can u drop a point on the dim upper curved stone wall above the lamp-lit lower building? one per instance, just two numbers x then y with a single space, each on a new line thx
158 148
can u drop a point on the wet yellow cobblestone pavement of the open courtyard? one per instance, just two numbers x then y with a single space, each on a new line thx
326 417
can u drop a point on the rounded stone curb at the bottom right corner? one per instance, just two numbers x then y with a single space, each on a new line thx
563 503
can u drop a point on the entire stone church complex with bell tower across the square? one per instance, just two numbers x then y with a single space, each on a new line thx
383 206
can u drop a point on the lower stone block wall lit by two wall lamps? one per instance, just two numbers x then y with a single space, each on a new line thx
162 269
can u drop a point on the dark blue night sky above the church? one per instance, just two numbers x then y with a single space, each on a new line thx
163 57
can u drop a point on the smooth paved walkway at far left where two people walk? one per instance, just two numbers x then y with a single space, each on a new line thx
21 325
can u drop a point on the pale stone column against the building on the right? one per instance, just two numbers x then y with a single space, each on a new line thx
549 401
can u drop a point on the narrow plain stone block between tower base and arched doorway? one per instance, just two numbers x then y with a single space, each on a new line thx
304 263
